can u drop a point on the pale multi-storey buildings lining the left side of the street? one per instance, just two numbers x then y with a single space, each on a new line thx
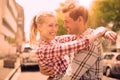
11 26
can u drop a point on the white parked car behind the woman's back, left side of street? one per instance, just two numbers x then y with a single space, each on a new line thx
28 58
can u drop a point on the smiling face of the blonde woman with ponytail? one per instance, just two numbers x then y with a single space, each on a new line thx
48 29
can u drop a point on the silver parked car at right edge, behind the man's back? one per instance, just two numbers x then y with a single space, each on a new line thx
111 63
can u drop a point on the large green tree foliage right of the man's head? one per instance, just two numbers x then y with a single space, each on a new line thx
103 12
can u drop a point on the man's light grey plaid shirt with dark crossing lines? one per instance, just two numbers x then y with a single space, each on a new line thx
87 63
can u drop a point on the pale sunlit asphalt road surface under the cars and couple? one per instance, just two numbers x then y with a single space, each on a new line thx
36 75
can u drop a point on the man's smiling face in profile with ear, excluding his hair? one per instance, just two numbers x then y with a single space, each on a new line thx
73 26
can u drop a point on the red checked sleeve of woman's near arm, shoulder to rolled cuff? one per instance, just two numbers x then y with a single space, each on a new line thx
55 50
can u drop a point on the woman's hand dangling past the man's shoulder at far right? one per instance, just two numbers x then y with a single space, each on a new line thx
111 36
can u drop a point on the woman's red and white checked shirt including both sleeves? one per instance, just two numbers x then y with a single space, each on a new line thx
53 54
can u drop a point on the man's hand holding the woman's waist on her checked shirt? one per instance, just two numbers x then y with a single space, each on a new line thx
48 71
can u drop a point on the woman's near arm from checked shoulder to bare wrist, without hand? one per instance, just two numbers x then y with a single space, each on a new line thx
61 49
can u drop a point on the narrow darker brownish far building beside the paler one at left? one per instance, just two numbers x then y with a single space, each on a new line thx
20 28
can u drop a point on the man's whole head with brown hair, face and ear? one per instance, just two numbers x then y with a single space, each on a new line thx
75 20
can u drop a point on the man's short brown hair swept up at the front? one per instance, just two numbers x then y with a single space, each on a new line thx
76 11
